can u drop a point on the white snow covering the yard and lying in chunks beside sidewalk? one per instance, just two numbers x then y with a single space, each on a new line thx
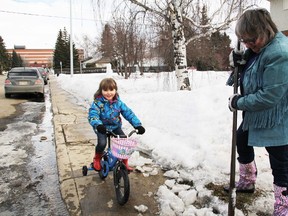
189 133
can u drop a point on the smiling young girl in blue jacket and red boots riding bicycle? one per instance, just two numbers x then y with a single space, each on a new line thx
104 114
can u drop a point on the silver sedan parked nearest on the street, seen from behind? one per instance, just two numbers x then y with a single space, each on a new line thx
24 80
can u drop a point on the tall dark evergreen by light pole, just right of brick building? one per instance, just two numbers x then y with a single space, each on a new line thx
62 51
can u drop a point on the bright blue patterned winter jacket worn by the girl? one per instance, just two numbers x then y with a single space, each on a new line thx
104 112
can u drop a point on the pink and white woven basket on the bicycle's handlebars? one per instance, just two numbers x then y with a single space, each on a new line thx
123 148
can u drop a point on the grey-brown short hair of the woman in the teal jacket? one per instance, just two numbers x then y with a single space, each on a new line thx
256 23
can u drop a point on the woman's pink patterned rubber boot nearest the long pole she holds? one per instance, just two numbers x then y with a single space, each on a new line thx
248 175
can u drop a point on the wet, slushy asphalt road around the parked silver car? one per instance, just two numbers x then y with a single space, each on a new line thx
29 183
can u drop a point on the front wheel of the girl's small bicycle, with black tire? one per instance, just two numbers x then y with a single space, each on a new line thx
122 184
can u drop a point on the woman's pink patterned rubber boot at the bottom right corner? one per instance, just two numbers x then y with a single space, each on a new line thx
281 201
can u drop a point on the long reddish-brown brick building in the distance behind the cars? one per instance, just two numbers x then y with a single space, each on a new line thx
38 57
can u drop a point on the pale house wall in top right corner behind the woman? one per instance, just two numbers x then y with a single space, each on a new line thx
279 14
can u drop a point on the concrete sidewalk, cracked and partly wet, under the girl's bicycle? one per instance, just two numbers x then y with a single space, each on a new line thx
75 146
